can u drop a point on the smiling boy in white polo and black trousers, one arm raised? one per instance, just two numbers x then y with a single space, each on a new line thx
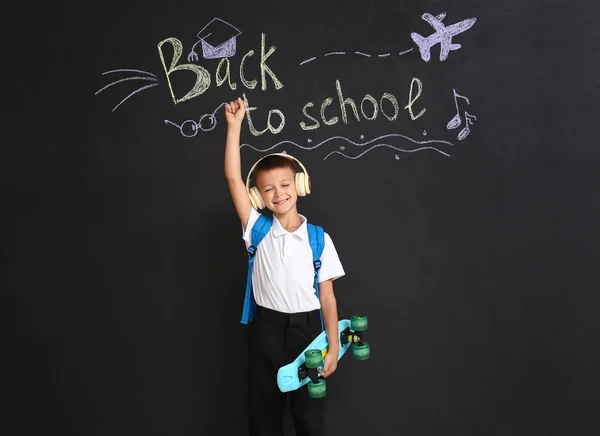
287 315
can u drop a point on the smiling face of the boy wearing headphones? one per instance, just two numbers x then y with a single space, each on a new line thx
278 189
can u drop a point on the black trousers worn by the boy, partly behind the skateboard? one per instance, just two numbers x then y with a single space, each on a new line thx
276 339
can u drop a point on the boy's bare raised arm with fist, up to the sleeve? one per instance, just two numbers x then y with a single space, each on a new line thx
234 113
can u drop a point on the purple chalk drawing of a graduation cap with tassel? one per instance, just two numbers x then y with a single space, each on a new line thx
218 39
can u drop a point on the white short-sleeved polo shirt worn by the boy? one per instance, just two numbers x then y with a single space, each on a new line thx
283 271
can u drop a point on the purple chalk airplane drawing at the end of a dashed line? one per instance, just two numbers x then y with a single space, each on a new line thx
443 35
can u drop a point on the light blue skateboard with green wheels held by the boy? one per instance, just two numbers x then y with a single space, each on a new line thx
305 368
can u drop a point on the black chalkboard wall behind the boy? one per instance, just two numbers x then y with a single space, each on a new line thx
476 259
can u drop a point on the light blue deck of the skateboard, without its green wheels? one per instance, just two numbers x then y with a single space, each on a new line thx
294 375
